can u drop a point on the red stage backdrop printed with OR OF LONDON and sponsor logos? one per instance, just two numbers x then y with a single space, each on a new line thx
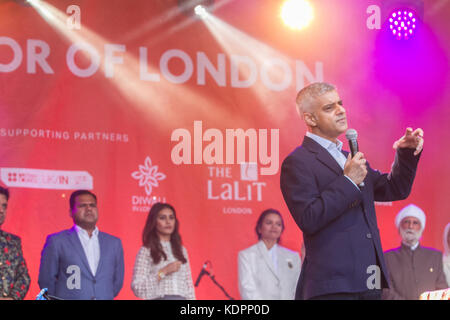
140 103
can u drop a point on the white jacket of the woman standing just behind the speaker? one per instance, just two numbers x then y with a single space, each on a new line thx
258 279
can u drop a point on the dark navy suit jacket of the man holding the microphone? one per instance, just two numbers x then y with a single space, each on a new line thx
338 221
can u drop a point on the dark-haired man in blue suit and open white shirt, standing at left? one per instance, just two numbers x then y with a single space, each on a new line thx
82 263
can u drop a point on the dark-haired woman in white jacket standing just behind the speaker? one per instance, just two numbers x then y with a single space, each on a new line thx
266 270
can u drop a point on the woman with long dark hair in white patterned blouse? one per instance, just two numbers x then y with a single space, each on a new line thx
161 269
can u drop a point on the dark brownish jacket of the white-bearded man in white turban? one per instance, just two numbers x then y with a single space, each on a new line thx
412 272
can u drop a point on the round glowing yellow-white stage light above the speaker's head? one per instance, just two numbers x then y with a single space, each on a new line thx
297 14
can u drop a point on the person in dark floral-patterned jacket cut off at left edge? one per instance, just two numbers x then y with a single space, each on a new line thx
14 277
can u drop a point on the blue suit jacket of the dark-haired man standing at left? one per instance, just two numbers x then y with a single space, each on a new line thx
63 260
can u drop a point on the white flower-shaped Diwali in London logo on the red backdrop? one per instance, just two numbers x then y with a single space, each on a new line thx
148 177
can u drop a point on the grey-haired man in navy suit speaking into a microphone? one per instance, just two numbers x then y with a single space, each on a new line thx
322 187
